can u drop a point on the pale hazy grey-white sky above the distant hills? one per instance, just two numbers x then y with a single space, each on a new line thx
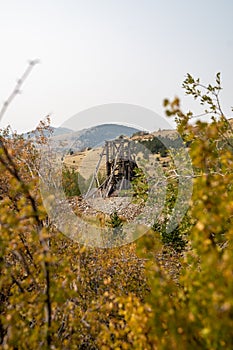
94 53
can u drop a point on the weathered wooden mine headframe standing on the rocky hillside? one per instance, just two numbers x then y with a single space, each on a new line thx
120 164
